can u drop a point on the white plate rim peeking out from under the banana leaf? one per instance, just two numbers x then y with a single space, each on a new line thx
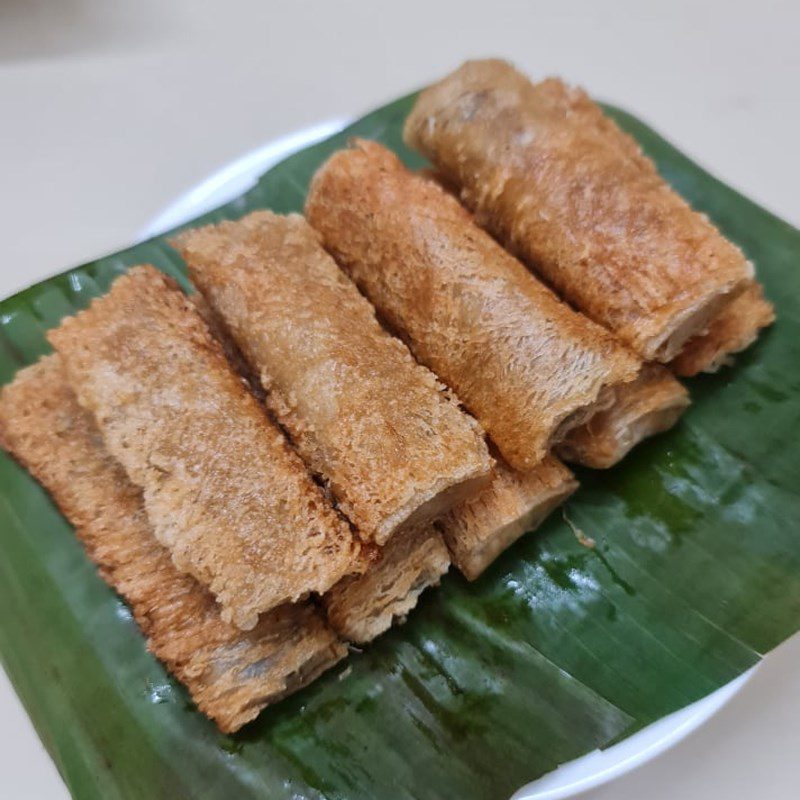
582 774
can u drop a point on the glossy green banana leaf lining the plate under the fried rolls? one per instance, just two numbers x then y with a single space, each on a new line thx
557 650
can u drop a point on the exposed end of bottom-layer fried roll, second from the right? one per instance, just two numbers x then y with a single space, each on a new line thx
649 405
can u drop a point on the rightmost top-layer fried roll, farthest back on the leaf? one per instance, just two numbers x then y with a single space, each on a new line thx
548 174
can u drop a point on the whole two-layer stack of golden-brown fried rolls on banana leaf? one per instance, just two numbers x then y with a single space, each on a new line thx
284 461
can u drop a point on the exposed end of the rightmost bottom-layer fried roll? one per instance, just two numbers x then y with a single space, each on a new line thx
734 329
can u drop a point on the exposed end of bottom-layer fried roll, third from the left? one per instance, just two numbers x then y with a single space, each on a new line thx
514 502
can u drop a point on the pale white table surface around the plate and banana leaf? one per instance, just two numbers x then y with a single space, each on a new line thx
108 109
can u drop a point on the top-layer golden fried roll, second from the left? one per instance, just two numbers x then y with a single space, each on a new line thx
393 447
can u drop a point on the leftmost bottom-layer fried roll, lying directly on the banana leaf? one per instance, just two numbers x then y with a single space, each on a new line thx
231 675
